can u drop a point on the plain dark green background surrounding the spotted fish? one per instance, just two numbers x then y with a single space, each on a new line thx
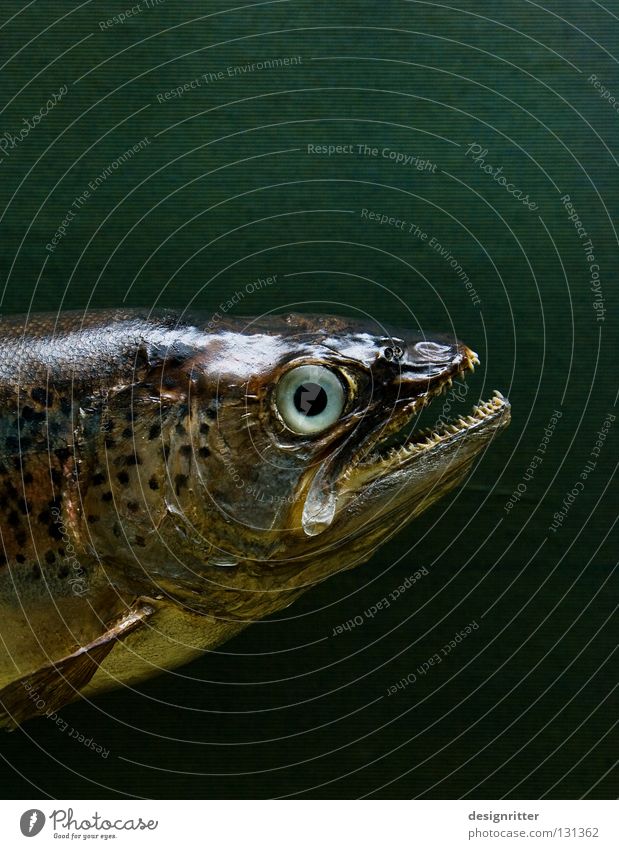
226 192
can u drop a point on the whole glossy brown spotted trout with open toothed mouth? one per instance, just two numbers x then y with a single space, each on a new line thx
167 478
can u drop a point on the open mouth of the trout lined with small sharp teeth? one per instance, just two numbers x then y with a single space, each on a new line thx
399 442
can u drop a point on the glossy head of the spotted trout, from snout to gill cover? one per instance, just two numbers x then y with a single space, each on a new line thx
298 455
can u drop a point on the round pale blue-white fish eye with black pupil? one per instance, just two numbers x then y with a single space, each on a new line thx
309 399
